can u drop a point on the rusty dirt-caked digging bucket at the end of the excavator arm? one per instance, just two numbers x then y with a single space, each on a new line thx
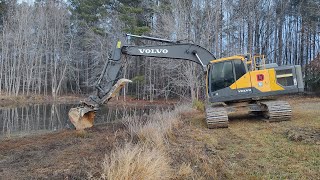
82 117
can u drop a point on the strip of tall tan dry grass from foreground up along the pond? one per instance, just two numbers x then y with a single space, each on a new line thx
147 159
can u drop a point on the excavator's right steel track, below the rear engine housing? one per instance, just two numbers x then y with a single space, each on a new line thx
277 111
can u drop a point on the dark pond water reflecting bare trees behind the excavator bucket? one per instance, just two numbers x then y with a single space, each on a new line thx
43 118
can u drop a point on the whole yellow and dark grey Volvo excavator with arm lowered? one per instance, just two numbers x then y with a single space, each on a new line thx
232 83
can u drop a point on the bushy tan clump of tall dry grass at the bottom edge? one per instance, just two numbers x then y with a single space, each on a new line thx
136 162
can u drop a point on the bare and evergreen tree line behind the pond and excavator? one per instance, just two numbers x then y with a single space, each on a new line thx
57 47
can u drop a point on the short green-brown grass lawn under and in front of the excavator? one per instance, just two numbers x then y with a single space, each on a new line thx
253 149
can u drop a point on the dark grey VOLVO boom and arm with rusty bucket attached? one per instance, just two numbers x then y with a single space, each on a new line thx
109 83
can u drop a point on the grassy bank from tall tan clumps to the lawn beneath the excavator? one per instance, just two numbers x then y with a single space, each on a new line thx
177 145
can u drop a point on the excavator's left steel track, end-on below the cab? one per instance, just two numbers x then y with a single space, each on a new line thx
216 117
